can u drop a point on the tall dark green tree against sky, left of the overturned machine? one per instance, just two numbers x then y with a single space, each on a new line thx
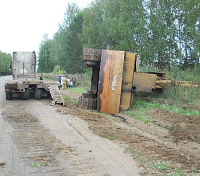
66 48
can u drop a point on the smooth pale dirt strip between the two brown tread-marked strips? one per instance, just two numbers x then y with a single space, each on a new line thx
93 155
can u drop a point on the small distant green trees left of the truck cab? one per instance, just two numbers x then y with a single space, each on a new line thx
5 62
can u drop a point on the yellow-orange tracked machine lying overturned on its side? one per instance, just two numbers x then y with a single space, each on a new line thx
115 77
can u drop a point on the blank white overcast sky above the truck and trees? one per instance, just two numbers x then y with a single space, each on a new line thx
23 23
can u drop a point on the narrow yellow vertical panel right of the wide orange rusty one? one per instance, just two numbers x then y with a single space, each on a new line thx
127 83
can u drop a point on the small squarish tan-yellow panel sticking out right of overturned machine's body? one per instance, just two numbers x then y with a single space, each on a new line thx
144 82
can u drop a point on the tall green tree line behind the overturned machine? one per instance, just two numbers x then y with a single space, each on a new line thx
163 32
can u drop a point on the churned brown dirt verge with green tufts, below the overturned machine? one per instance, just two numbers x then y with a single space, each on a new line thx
168 144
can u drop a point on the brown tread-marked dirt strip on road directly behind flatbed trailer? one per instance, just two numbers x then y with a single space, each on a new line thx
39 150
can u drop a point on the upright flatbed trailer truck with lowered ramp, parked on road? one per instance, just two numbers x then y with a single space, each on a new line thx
25 84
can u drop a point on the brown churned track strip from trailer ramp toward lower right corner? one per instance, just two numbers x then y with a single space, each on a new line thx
153 148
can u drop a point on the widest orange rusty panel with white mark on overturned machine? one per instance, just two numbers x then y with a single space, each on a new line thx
110 81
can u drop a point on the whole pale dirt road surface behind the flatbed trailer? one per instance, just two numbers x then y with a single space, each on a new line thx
38 139
